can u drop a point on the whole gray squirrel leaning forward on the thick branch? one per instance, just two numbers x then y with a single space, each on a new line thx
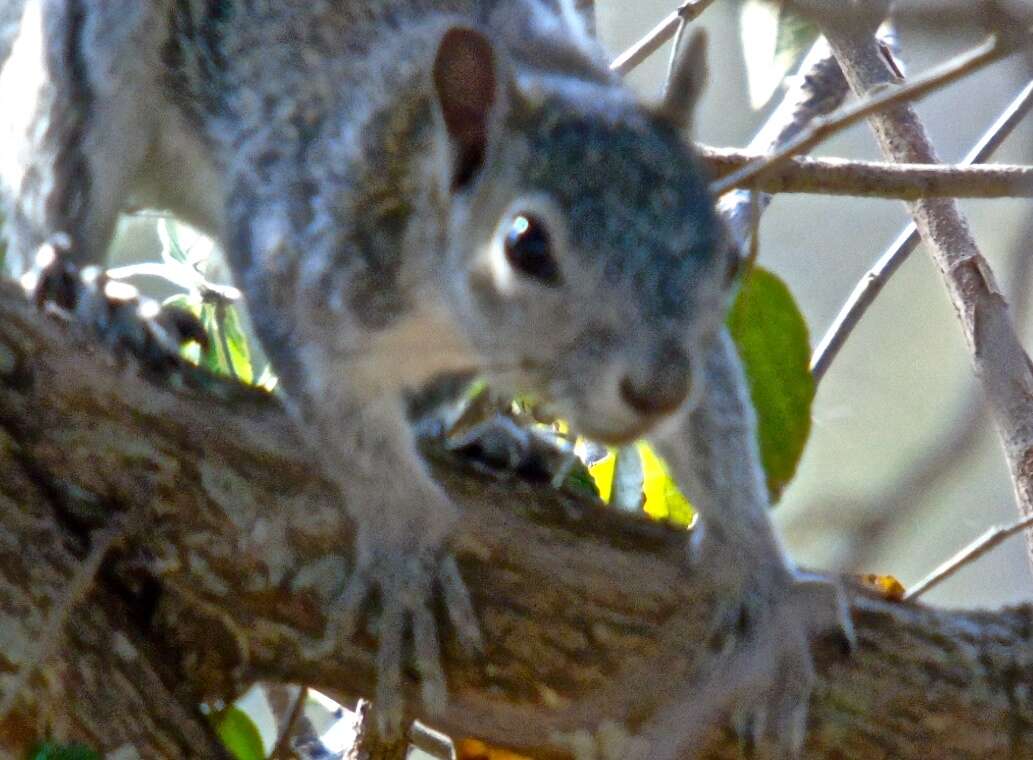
409 188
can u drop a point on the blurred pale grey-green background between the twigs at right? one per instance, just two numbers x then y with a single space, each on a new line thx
900 429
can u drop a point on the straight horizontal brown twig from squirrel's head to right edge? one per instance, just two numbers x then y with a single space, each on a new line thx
879 179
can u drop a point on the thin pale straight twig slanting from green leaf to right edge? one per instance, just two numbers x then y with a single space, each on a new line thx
875 279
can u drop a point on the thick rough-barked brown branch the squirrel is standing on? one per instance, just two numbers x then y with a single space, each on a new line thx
222 548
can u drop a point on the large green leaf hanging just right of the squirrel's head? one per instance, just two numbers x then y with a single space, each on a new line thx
773 342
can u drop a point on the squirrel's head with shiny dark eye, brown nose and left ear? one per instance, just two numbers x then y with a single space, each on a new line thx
584 258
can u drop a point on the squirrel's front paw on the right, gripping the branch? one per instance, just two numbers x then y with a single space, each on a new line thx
775 627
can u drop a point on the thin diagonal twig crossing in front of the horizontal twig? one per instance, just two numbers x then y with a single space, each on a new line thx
885 98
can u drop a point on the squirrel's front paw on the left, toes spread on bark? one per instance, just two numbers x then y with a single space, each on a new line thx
409 584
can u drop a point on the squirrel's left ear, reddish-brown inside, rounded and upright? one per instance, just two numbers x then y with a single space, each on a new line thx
466 83
